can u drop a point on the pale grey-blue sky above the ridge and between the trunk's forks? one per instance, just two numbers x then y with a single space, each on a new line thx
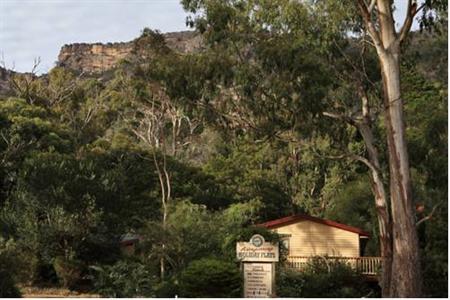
39 28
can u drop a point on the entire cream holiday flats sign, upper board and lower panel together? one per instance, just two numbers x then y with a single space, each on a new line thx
258 258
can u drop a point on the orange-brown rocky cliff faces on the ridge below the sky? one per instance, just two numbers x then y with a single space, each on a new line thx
97 58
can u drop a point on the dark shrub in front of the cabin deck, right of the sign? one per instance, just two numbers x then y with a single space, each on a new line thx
323 278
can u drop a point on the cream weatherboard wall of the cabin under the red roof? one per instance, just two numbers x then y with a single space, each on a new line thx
309 238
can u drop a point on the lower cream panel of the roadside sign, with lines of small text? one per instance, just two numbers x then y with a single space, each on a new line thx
258 280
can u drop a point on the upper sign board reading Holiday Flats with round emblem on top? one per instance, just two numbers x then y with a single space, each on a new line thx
257 250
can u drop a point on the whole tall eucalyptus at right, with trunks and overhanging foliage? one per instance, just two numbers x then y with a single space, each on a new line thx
279 80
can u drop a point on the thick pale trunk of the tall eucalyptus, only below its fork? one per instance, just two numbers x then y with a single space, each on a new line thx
406 278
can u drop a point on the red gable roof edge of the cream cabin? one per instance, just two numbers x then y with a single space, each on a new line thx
301 217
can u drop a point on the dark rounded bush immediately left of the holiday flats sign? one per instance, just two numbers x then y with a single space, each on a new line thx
210 278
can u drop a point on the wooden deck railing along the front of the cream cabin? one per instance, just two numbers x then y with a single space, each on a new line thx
366 265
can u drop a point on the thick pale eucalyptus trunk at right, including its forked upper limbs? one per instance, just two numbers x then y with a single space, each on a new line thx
405 275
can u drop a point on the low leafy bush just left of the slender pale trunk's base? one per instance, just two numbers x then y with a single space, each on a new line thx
124 279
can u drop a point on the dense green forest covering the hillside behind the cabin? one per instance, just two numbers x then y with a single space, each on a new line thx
188 150
